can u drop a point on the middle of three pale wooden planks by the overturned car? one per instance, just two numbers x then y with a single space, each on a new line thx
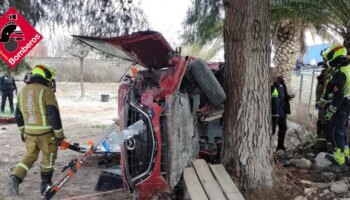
210 185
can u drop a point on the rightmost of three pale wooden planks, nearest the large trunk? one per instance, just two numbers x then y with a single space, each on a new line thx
228 186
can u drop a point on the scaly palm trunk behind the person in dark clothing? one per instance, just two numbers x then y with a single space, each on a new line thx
287 48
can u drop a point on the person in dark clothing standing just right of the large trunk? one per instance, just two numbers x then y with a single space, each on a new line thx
280 109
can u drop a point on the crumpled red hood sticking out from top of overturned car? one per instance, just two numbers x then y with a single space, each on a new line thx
147 48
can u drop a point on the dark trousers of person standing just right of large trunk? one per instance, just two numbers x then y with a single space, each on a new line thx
282 128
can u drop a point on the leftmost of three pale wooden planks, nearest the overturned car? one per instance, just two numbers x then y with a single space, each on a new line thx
193 187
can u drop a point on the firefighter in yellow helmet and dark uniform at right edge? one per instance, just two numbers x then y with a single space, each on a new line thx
338 93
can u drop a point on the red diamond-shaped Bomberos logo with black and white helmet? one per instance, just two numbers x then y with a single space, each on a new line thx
18 37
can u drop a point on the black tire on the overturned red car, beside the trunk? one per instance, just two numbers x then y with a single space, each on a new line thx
206 80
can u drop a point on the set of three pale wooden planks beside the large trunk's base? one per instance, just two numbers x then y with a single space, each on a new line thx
209 182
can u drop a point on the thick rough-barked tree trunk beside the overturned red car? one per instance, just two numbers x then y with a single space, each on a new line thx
247 150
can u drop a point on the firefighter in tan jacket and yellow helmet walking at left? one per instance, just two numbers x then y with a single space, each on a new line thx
38 119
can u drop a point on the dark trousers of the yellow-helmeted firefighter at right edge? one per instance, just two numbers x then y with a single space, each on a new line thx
339 126
